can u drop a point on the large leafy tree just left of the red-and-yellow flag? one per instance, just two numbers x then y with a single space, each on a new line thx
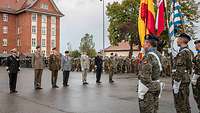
123 22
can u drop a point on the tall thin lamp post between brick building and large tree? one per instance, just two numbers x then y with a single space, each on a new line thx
103 1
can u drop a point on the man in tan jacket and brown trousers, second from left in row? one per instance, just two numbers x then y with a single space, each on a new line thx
38 64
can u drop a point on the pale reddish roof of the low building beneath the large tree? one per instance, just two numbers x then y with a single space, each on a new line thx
122 46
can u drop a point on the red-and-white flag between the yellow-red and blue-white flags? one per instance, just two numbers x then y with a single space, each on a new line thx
160 20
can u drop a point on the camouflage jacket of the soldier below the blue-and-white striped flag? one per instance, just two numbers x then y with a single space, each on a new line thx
183 65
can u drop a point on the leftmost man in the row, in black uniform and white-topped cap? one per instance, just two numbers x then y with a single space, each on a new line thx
13 67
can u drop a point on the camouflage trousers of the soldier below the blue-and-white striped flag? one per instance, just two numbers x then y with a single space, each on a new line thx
181 100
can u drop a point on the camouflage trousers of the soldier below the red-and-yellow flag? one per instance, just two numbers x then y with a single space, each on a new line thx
150 103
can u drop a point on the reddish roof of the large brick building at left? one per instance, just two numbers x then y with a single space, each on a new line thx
19 6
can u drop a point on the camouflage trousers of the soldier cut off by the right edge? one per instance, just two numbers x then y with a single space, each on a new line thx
196 93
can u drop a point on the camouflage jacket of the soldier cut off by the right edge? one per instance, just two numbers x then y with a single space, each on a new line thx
196 62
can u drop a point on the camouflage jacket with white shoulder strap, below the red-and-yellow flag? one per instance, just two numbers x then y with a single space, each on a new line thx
150 71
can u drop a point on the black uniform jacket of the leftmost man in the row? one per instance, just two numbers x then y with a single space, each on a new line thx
13 65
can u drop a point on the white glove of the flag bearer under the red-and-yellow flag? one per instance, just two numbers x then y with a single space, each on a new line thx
142 90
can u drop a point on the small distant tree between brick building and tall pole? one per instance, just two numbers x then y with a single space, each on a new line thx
87 45
